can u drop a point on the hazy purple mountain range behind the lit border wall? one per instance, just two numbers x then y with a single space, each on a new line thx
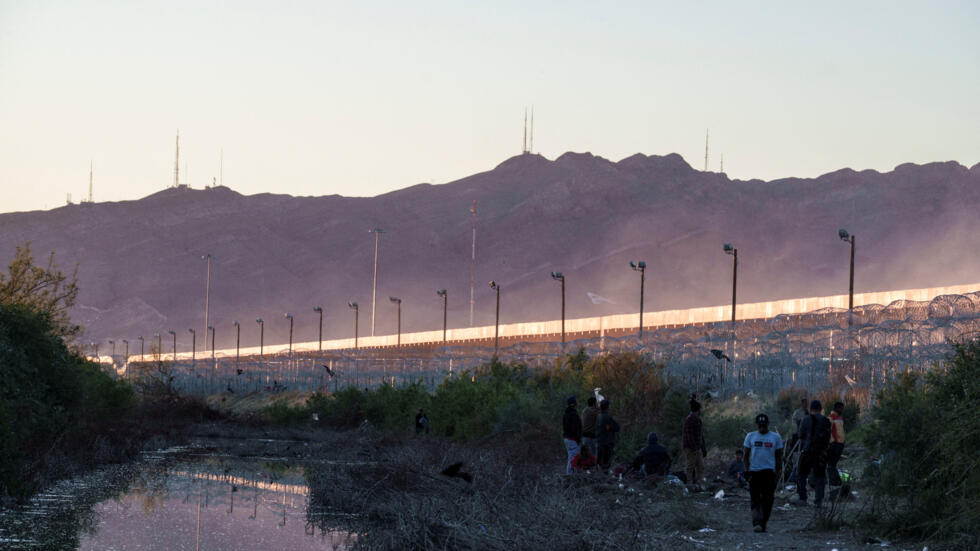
141 270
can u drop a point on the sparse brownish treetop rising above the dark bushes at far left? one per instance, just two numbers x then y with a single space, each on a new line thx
44 290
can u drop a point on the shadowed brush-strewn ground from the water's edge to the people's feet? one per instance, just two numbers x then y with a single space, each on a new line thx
390 489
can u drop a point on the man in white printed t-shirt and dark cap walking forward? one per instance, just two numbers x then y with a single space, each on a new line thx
763 456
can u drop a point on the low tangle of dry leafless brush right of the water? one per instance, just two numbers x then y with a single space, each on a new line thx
401 502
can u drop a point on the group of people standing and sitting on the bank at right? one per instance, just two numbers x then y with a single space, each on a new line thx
591 437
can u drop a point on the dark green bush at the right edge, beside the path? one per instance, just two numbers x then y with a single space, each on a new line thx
926 432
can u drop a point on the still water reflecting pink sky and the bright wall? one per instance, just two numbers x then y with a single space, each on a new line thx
178 499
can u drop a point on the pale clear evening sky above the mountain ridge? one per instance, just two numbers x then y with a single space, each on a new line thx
362 98
